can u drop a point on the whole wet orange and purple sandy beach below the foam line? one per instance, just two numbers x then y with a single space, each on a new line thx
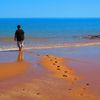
51 74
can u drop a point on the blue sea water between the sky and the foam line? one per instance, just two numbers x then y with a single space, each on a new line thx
47 32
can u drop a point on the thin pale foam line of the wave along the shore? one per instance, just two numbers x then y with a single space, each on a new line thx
51 46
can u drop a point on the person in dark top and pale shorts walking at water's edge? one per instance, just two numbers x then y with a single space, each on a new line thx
19 37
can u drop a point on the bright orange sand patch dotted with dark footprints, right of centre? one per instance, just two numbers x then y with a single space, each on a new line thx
56 64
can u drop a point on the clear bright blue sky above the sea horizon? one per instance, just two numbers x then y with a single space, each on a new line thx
49 8
